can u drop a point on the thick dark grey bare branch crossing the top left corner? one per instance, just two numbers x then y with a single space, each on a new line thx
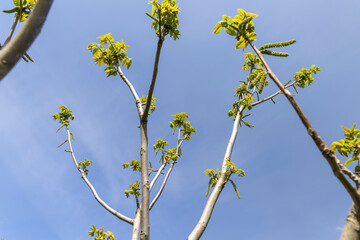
17 47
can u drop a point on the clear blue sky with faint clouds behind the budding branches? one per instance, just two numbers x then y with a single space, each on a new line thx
289 191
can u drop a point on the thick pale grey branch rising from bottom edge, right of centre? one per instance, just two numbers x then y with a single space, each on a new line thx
210 204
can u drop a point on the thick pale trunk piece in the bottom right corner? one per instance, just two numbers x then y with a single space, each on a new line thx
351 229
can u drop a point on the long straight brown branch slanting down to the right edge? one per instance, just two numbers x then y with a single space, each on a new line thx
321 145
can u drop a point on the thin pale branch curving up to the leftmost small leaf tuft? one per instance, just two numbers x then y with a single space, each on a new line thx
83 176
